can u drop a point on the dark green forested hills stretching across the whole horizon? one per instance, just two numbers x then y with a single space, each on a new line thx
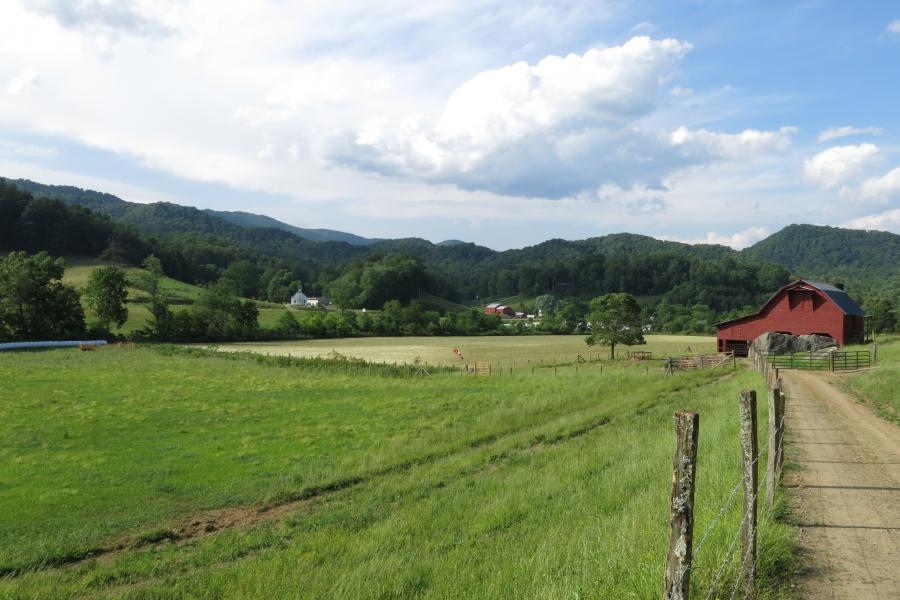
684 287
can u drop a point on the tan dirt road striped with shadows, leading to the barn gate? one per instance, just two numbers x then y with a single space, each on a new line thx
846 494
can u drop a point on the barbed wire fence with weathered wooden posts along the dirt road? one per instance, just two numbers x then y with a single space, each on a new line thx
681 557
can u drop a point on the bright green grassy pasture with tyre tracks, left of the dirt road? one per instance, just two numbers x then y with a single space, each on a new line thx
166 472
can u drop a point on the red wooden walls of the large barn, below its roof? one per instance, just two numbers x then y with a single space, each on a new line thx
819 316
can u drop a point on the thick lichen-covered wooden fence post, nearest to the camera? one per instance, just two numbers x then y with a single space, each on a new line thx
684 480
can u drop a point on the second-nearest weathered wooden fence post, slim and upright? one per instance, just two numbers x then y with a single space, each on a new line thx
750 454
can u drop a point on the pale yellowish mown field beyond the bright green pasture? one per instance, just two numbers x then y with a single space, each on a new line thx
508 351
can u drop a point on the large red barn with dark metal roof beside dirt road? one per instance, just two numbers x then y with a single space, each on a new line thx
799 308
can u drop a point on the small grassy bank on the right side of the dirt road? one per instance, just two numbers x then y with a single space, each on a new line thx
880 387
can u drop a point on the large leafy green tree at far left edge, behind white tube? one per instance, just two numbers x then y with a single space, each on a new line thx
34 303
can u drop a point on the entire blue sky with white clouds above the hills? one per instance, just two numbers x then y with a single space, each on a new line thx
498 122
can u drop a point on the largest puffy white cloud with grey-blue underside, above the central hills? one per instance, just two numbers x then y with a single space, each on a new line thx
552 129
